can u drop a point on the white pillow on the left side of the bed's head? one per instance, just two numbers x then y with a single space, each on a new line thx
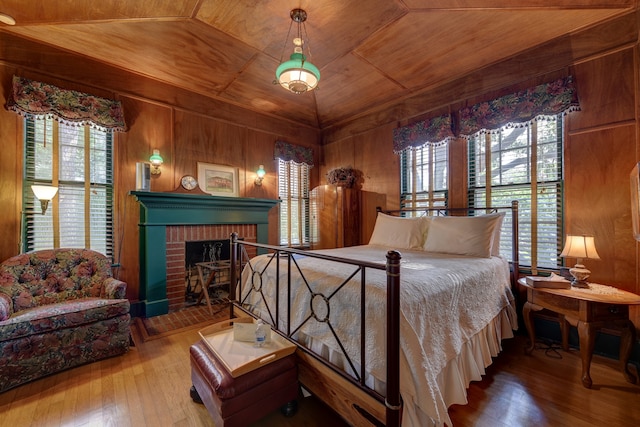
398 232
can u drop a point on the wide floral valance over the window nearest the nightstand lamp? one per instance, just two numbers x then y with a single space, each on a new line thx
519 109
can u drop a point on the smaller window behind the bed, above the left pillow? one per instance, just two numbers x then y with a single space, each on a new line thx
424 176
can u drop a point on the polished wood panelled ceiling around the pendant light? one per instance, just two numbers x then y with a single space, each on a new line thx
370 52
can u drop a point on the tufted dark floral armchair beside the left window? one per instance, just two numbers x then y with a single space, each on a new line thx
59 308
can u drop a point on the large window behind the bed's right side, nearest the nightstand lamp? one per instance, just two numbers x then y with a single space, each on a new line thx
525 164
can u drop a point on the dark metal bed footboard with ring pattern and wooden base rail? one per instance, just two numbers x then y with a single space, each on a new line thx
351 398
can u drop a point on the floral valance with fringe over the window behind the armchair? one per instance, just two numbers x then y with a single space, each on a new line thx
36 99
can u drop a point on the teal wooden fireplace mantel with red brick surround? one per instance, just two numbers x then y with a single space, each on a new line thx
168 220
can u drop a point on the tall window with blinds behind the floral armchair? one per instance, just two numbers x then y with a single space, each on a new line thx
78 160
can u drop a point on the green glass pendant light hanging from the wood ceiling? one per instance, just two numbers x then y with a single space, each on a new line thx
297 74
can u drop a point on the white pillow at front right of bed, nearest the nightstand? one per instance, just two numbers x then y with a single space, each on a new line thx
463 235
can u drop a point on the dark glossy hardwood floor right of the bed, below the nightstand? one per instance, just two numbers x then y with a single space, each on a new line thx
539 390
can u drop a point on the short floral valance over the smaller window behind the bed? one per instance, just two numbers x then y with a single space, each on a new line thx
433 131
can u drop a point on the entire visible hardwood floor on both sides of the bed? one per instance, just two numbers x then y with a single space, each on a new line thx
149 387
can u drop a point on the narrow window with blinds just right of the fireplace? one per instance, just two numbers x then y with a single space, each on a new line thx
293 190
